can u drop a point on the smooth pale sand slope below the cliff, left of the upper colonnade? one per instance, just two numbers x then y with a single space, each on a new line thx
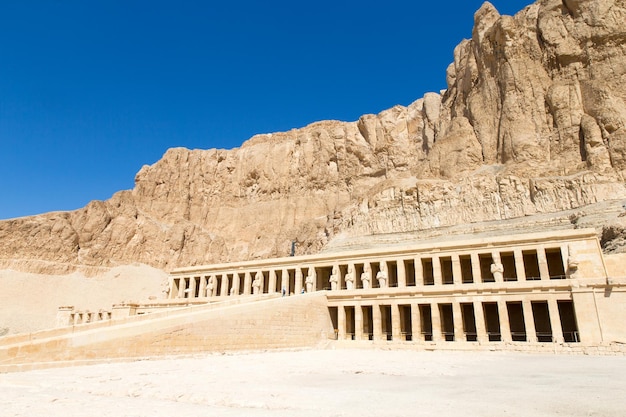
29 302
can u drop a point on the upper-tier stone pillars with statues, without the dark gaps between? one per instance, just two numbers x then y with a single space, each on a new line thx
369 274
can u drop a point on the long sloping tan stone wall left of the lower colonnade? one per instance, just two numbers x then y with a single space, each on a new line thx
290 322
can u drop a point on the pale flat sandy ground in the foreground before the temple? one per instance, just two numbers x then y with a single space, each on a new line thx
326 383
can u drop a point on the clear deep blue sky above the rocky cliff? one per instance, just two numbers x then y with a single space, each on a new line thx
90 91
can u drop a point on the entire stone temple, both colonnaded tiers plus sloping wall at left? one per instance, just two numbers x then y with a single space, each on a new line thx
548 291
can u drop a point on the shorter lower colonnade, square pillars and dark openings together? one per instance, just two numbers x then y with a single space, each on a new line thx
478 319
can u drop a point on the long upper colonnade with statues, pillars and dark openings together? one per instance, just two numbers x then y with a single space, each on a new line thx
538 262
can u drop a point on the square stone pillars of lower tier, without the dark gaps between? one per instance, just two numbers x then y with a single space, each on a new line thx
438 331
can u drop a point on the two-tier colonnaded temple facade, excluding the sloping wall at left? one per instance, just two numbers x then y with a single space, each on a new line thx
526 288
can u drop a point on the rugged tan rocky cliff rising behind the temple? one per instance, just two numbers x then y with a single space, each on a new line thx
533 121
